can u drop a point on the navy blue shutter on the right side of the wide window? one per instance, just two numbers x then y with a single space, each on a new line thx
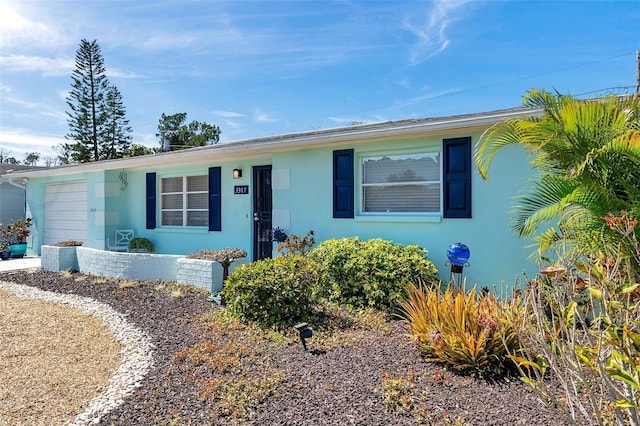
457 177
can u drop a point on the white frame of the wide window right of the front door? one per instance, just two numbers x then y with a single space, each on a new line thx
361 185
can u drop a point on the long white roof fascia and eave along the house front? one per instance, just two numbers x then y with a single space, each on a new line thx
264 147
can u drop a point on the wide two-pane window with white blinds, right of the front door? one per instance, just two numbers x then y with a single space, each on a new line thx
401 183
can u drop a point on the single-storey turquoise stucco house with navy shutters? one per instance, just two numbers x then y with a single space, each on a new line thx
409 181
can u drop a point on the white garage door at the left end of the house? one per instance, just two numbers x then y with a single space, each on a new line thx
65 212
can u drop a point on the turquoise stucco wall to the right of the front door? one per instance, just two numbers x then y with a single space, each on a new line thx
497 255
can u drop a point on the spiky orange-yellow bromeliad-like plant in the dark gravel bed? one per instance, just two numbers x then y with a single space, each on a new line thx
467 331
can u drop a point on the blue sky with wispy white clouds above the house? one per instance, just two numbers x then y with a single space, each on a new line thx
274 67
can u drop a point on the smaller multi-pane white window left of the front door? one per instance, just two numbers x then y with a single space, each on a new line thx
184 201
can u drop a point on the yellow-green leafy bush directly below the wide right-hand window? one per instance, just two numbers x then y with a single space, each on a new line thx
371 273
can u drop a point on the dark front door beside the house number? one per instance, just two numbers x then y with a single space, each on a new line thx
262 246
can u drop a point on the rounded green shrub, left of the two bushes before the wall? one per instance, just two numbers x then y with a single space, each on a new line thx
274 292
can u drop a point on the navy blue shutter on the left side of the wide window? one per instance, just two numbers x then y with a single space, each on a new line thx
343 183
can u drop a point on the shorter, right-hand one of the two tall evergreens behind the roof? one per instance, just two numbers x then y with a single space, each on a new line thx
117 140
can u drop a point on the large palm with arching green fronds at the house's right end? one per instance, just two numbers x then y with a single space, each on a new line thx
588 153
